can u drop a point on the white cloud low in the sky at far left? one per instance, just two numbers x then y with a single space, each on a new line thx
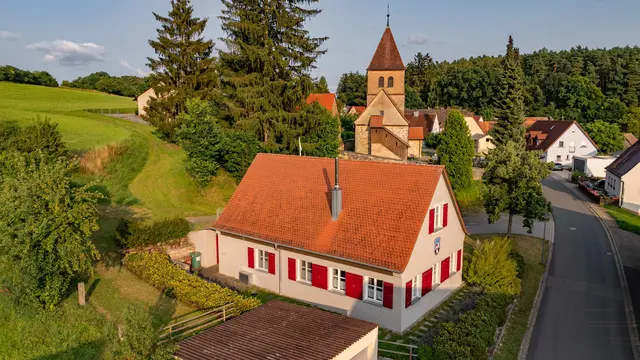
69 53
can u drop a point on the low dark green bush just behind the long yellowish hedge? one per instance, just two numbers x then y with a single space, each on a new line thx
131 234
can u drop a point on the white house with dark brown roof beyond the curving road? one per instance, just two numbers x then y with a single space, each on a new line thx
560 141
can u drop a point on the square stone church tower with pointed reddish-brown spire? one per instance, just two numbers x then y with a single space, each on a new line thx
386 70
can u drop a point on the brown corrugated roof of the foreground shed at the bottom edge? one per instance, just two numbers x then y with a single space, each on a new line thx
277 330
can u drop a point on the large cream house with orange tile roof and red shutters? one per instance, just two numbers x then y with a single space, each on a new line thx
378 241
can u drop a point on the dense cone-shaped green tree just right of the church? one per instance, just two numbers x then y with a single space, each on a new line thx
455 151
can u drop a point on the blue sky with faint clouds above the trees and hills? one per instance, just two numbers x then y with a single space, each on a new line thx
72 38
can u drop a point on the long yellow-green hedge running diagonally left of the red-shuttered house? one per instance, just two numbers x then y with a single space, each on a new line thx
156 269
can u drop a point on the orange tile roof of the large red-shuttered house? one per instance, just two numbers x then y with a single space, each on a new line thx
285 200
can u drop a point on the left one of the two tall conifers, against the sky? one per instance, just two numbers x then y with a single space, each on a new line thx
184 68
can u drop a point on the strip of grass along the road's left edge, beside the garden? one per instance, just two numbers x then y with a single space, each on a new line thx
530 248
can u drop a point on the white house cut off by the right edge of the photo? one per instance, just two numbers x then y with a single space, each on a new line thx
623 178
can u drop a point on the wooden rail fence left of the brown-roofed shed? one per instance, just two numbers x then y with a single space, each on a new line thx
199 322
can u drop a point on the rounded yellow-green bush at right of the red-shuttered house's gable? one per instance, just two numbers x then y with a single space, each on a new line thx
493 268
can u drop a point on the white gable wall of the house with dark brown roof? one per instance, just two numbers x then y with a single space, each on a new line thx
574 142
